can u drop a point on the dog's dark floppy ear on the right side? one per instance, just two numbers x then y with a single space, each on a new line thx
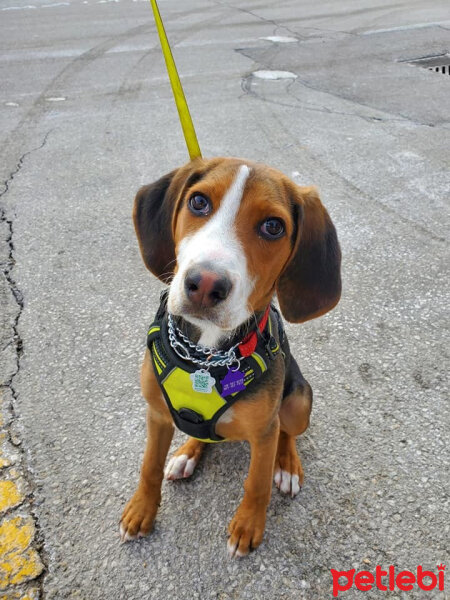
310 284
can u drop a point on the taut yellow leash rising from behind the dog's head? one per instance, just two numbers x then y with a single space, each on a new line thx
180 99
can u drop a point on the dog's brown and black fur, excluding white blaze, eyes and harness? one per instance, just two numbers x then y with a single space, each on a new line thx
303 267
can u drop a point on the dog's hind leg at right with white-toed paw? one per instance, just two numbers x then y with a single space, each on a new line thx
294 419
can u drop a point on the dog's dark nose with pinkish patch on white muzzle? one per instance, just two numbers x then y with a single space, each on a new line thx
206 288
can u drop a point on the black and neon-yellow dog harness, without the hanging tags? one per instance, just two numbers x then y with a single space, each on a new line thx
197 413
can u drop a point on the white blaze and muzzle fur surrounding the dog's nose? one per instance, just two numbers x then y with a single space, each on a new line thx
217 242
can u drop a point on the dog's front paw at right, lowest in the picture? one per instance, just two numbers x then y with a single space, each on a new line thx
246 531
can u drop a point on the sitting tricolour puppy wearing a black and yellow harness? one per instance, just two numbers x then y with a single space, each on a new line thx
228 234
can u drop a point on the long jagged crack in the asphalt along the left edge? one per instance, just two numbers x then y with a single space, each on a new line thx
7 268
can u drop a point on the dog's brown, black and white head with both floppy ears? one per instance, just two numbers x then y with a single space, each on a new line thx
227 234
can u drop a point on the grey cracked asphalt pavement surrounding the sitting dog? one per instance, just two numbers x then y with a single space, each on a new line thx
325 92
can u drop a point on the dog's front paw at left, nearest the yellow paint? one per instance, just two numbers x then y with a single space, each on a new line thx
137 517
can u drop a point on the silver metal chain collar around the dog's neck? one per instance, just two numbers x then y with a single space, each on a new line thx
214 358
